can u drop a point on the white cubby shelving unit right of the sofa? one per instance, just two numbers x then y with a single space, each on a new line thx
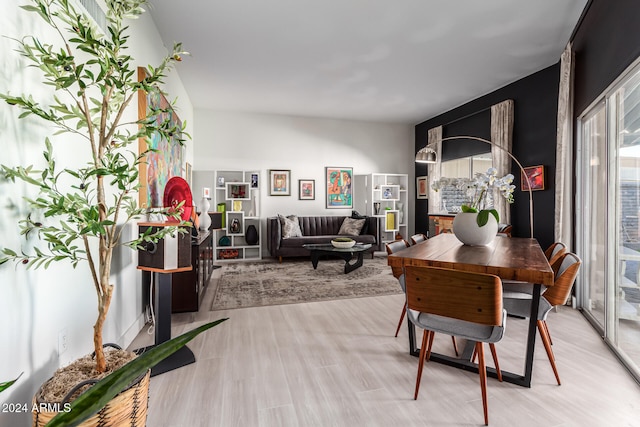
384 195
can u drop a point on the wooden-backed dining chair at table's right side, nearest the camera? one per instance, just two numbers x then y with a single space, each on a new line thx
519 303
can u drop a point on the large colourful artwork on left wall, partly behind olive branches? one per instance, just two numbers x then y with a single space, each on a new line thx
163 158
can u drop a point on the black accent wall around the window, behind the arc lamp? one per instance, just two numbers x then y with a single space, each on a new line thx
534 141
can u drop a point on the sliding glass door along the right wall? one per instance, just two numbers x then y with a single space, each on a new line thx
608 208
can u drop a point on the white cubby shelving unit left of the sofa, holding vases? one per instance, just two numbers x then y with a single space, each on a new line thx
235 193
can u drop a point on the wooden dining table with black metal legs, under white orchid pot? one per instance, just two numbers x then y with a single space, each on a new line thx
510 258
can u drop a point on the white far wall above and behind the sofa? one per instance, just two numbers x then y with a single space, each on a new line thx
231 140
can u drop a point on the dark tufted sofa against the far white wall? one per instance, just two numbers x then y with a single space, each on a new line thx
315 229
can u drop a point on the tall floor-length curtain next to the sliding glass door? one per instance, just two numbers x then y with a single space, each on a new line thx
563 224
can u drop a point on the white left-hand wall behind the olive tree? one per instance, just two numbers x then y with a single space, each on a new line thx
36 305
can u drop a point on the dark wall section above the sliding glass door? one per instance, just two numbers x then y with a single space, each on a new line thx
606 42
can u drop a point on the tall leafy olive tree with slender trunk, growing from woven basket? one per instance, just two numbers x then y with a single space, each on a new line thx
83 211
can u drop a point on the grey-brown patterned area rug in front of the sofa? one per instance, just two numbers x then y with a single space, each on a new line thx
295 281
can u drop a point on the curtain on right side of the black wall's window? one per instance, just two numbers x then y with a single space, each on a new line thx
502 136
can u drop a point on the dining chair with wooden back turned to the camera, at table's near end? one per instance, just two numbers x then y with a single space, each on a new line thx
466 304
